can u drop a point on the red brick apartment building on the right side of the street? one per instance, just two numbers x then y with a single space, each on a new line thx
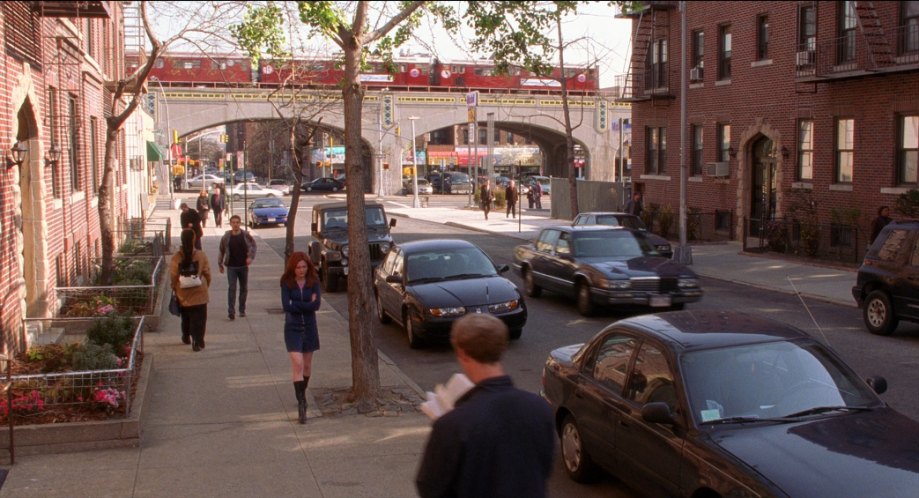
787 103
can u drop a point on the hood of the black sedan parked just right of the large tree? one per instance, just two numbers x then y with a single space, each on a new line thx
464 292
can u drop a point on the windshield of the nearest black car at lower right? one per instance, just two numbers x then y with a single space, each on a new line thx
768 381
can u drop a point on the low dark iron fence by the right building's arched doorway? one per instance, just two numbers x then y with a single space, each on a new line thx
836 242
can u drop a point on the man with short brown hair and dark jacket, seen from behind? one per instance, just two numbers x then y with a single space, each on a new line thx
498 440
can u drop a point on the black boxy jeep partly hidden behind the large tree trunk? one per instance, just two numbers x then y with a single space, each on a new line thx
329 239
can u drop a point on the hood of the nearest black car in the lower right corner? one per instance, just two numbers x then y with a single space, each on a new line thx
859 454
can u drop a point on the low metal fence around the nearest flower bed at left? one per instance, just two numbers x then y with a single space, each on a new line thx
38 394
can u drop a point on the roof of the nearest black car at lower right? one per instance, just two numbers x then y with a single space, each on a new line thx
708 329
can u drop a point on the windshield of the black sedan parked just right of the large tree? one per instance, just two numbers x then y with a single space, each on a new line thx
450 263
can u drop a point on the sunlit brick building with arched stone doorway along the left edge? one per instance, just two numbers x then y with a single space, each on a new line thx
57 59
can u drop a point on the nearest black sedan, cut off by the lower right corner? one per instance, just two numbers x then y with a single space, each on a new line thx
720 403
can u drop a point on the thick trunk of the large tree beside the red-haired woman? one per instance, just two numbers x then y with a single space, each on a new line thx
364 357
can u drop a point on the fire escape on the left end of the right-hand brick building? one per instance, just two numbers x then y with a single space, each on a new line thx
648 76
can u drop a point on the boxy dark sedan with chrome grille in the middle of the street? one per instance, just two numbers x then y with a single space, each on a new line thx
604 266
